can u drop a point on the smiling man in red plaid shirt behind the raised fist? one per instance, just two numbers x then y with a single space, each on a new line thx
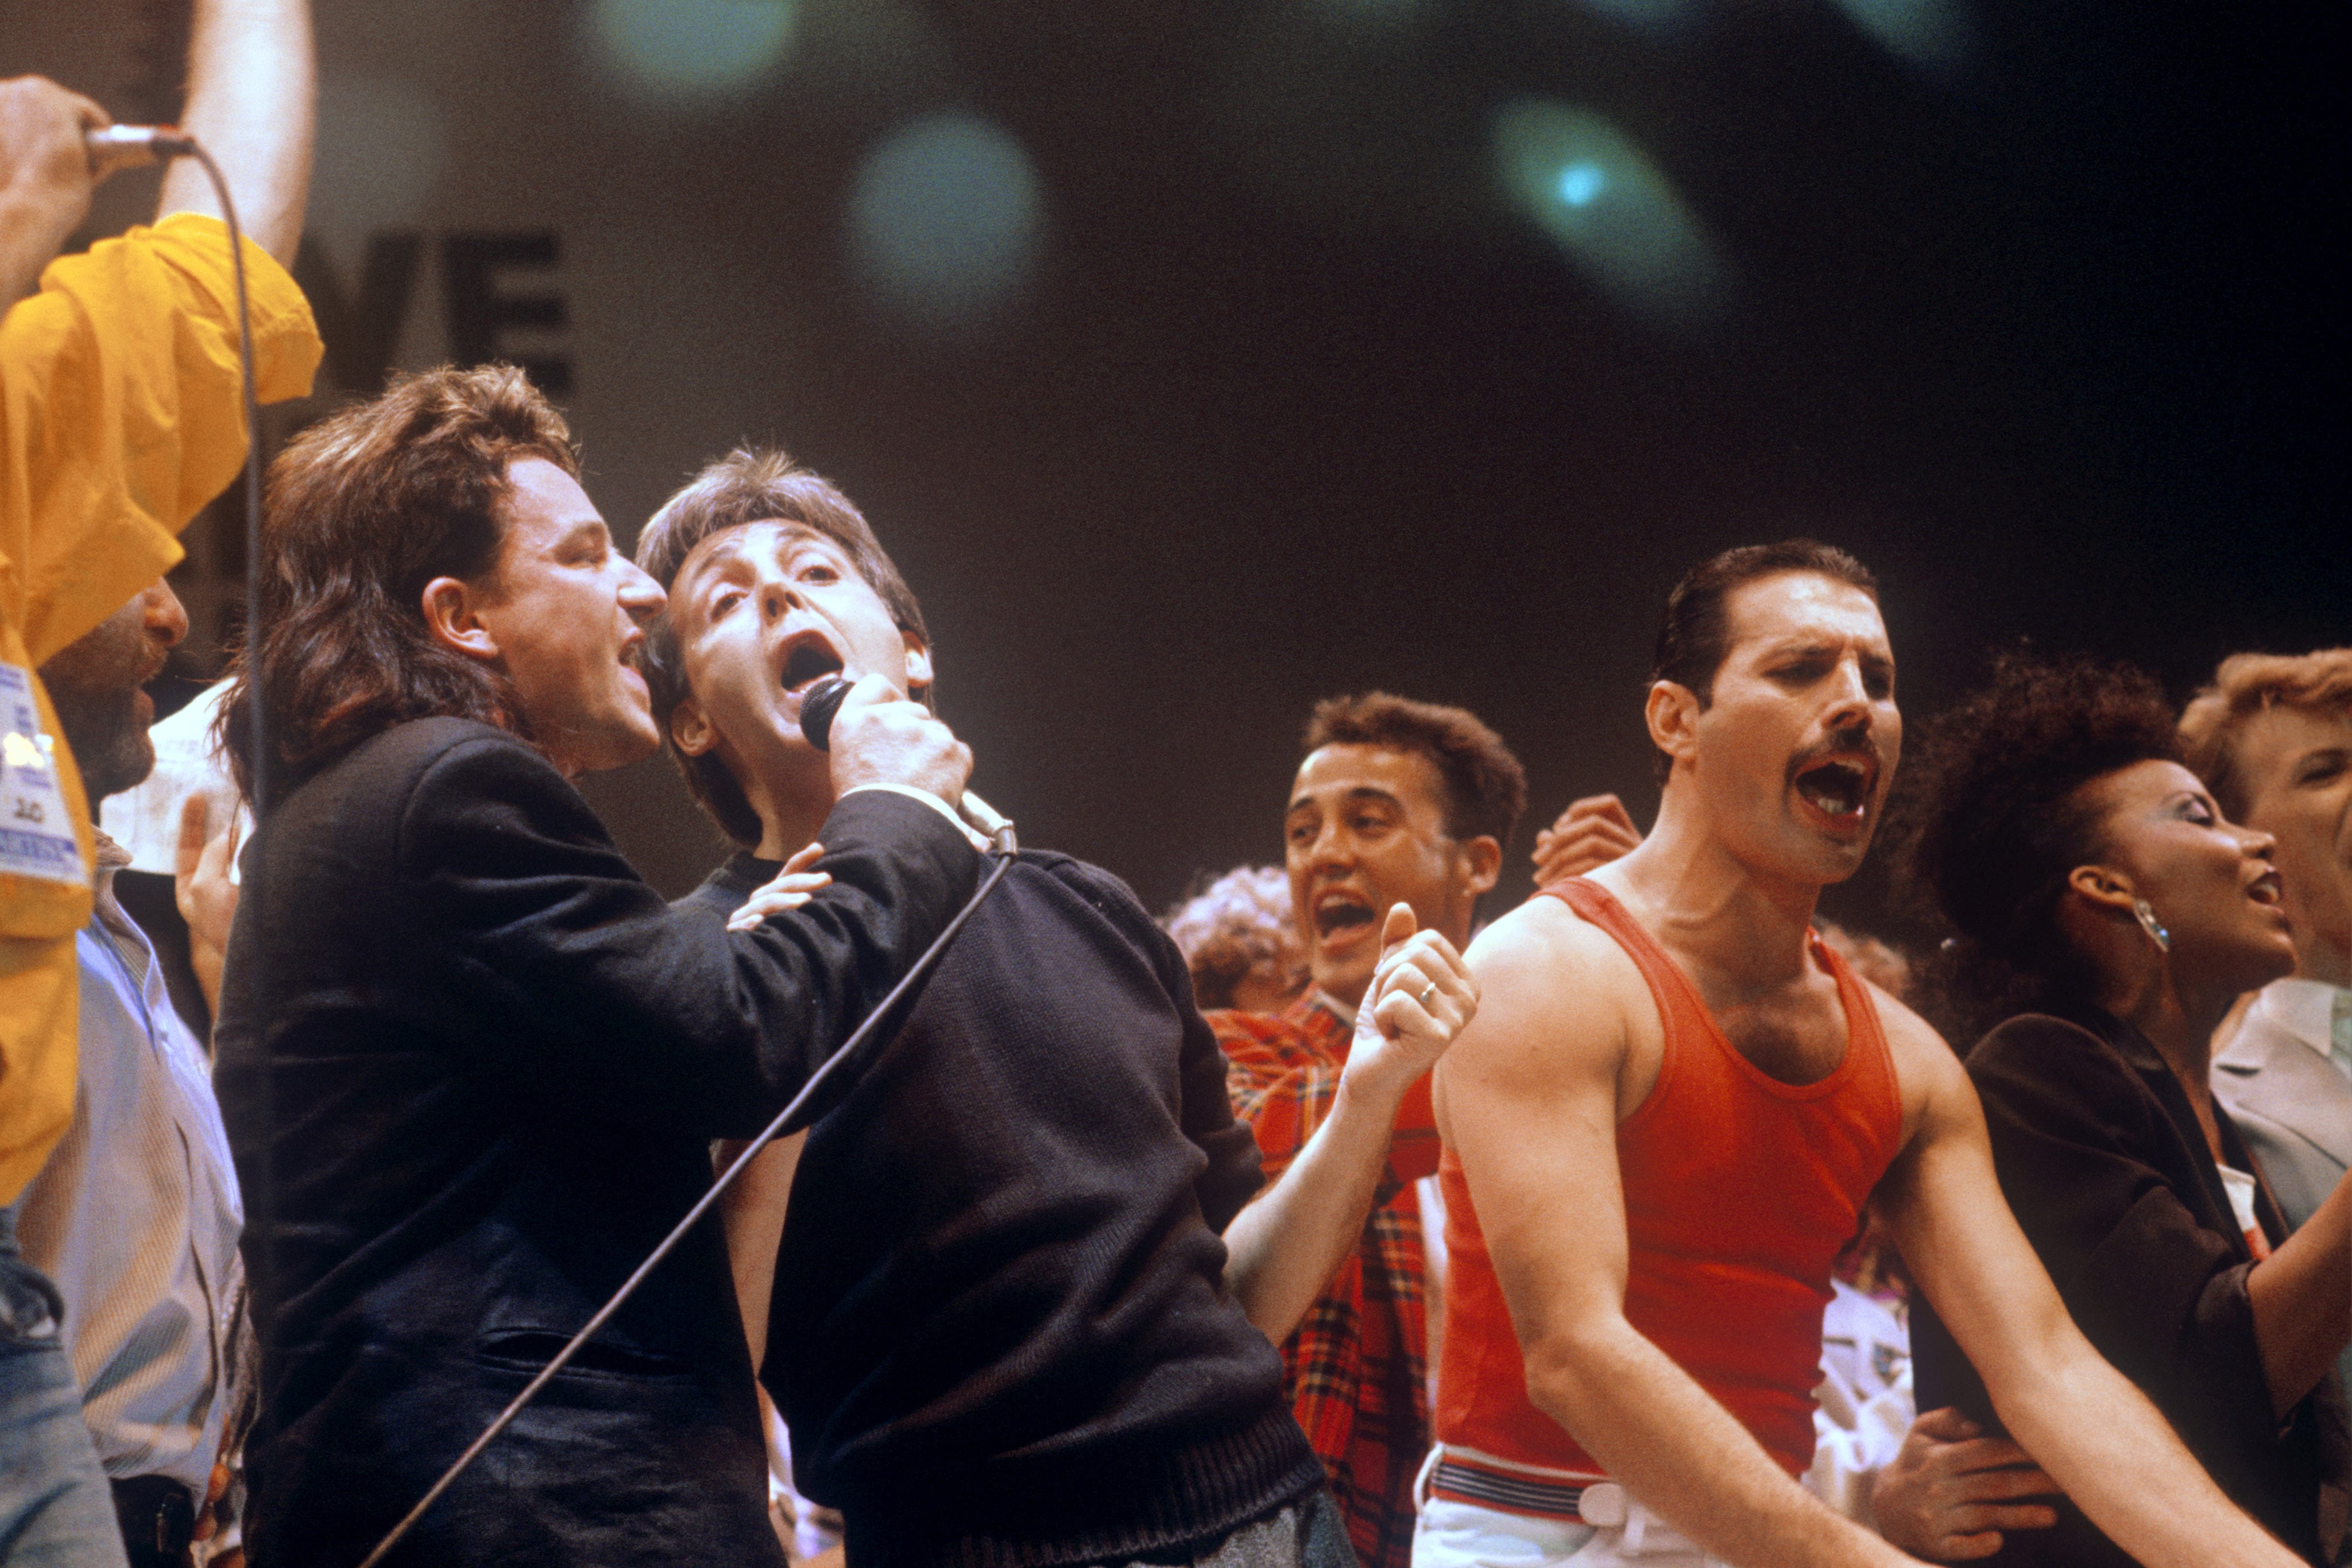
1396 803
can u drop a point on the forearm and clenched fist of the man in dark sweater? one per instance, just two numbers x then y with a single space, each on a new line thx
1295 1235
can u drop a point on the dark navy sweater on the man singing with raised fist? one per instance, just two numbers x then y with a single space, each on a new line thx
1001 1327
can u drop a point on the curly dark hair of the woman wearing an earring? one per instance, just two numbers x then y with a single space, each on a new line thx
1996 817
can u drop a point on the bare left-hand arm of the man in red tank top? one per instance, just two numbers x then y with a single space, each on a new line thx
1530 1099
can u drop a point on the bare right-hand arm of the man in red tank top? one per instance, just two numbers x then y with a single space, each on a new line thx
2080 1419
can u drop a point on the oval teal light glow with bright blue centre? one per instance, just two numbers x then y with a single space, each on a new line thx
1610 208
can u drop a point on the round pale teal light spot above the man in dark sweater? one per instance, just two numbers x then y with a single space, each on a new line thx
947 220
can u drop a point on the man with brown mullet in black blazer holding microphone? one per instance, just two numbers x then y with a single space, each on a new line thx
469 1059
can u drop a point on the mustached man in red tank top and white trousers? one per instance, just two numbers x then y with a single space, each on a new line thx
1669 1118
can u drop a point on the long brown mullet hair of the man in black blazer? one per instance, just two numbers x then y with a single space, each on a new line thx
363 511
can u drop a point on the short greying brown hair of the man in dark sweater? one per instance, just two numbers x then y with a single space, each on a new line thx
744 488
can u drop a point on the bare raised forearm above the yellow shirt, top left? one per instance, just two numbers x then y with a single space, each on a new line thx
250 105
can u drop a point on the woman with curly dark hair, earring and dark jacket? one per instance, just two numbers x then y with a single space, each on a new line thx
2111 916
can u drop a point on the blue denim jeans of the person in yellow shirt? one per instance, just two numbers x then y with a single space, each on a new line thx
55 1506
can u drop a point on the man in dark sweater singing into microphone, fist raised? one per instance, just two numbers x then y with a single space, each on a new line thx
1022 1313
